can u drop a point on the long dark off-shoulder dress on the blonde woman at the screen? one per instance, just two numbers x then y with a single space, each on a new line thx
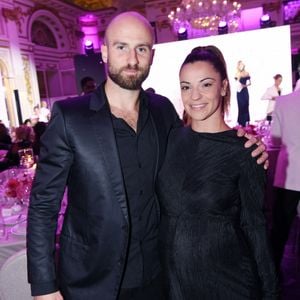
243 102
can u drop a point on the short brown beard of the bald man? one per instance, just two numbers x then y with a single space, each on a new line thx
128 82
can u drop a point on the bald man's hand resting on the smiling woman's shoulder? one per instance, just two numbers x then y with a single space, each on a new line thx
259 151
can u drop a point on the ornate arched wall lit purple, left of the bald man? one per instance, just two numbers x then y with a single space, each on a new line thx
37 45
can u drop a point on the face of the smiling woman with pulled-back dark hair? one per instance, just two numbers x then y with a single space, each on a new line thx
201 91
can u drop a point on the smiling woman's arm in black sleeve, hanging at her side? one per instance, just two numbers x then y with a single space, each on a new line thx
253 223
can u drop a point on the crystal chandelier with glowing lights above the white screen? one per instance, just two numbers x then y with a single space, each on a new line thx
202 18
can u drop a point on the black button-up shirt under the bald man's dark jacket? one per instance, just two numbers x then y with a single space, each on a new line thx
138 156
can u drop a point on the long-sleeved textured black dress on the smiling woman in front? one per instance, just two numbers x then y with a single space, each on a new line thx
213 231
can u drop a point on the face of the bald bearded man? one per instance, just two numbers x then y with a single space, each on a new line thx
128 53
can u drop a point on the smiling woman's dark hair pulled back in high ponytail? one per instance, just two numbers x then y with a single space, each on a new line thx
213 56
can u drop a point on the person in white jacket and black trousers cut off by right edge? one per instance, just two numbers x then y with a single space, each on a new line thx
286 179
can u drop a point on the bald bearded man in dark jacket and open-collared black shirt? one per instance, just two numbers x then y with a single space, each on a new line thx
107 148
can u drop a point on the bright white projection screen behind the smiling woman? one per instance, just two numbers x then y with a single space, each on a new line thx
265 53
